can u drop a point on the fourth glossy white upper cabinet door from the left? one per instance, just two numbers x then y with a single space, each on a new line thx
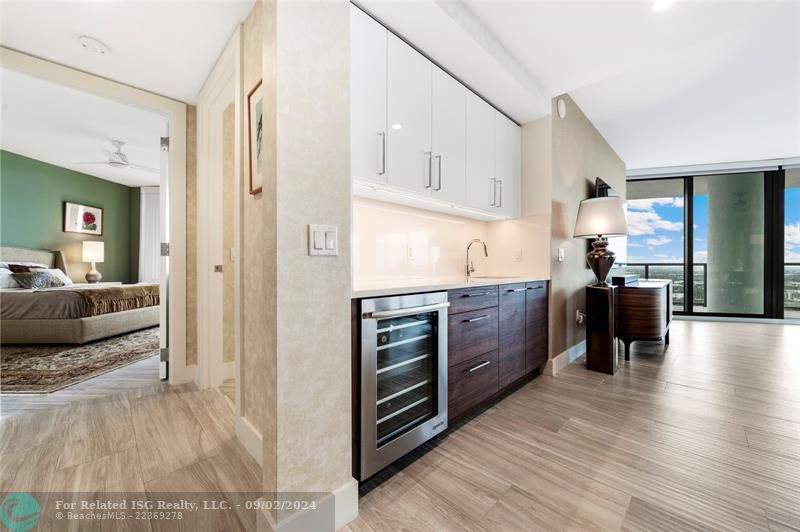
480 154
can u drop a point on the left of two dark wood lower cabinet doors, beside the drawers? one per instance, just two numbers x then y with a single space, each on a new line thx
511 351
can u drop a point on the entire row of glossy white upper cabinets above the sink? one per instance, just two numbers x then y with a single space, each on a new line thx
419 137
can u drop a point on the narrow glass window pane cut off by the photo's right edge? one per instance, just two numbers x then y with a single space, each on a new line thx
791 243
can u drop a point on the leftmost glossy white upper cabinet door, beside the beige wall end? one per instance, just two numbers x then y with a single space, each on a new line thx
367 97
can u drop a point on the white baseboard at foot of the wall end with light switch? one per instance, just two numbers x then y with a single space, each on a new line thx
331 511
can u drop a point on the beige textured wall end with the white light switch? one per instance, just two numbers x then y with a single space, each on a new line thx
313 186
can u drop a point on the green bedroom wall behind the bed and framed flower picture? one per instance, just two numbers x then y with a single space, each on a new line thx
32 195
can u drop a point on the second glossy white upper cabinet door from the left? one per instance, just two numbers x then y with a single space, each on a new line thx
409 118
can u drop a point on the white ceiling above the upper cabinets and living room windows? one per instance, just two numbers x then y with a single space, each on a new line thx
700 82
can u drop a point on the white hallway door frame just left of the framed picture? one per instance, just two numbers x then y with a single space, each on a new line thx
225 76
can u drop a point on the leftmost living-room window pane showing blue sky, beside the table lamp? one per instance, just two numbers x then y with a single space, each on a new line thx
656 232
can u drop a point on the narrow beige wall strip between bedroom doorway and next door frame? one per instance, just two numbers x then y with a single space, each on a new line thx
191 235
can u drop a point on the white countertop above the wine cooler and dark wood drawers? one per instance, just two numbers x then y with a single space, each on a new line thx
398 287
